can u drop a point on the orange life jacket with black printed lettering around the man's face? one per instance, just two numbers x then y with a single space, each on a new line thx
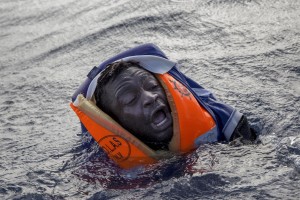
190 121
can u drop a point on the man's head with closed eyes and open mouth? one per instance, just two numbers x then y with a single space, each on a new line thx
135 98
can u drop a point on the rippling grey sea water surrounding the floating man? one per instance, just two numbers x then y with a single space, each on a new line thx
246 51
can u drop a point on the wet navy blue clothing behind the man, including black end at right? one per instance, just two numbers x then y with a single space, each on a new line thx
230 123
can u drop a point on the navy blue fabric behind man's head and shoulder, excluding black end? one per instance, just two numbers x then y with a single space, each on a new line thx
225 116
